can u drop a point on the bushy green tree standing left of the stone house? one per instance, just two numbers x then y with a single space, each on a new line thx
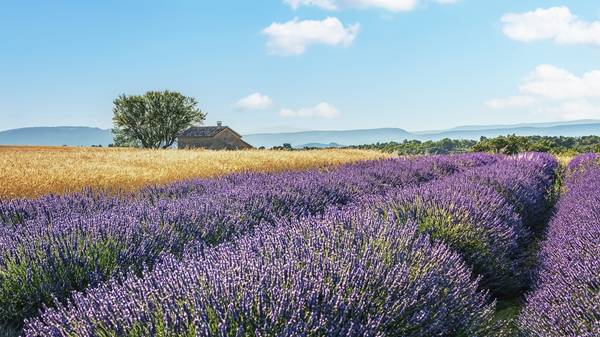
153 120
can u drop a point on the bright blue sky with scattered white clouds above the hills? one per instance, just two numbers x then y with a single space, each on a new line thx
304 64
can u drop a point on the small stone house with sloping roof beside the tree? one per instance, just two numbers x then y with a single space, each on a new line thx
211 137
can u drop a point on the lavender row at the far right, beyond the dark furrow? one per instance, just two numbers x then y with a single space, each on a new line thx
566 299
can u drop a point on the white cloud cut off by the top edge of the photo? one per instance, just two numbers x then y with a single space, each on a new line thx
389 5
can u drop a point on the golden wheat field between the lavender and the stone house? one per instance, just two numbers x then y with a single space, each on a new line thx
27 172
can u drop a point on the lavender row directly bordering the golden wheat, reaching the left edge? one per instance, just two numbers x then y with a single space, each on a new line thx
56 245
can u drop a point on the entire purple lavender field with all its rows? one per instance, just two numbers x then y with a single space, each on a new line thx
464 245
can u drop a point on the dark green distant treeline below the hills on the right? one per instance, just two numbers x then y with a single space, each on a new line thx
510 144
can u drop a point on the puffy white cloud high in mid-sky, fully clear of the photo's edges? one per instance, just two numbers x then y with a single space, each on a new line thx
293 37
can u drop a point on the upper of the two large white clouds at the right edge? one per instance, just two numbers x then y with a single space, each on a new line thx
556 23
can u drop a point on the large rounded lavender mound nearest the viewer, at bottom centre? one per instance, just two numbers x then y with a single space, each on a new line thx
347 274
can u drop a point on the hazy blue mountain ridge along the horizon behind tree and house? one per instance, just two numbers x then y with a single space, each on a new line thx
88 136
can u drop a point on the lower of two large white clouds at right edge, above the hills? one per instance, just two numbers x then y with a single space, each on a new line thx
556 92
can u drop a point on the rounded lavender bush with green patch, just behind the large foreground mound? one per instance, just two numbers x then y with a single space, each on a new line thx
473 220
